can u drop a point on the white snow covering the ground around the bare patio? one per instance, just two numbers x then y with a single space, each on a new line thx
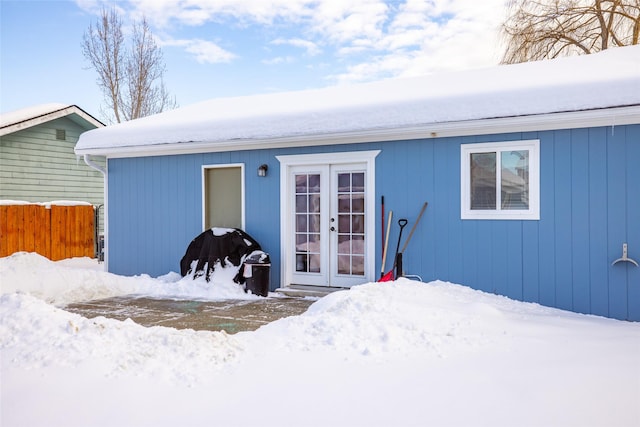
399 353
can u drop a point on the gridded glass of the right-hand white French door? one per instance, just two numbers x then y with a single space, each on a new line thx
351 217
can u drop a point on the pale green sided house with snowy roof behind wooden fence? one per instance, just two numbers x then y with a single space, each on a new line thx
37 159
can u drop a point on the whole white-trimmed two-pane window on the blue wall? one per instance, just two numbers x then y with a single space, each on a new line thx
500 180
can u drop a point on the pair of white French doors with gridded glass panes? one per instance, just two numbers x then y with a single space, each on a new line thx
328 223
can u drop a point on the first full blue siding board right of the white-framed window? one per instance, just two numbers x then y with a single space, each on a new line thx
563 232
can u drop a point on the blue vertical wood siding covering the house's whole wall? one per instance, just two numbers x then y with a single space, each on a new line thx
589 207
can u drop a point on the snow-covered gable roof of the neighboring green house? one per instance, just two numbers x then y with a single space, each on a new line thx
27 117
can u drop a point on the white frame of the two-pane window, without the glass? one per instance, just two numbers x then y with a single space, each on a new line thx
533 213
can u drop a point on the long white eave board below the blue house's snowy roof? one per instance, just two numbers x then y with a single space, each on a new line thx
611 116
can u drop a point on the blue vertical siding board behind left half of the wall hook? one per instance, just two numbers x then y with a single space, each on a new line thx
617 224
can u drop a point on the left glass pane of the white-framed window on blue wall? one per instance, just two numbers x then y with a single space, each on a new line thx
483 181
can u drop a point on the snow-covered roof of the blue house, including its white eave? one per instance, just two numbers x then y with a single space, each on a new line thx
432 105
